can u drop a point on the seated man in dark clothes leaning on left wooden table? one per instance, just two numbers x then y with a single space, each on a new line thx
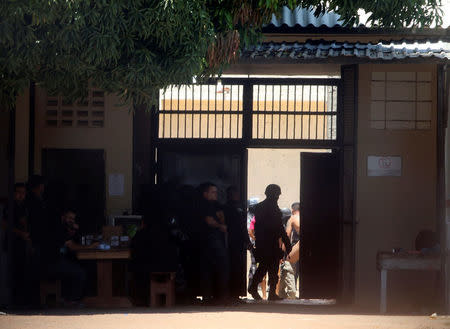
59 257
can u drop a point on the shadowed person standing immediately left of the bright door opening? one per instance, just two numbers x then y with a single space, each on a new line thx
238 242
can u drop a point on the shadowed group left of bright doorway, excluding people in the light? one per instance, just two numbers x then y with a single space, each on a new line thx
204 242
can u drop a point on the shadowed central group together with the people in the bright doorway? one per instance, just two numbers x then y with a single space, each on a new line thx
212 242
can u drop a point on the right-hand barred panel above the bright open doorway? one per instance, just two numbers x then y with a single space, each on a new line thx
294 112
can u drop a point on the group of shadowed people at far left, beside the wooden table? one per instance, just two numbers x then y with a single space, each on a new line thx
43 244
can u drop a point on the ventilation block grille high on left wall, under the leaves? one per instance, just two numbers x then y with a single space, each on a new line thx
90 112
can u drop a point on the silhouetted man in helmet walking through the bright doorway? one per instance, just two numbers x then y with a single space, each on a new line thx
268 232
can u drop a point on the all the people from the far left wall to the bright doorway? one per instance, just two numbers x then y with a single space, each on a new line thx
194 235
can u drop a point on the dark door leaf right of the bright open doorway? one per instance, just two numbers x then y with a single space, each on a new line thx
319 226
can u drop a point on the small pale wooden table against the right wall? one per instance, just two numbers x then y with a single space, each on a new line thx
403 261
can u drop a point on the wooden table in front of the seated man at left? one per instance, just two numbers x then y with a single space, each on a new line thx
104 259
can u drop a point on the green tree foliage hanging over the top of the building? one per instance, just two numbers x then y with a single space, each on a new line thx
134 48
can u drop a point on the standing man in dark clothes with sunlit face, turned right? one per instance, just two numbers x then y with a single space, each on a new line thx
214 271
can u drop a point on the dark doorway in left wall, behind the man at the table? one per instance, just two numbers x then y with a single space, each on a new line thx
76 179
